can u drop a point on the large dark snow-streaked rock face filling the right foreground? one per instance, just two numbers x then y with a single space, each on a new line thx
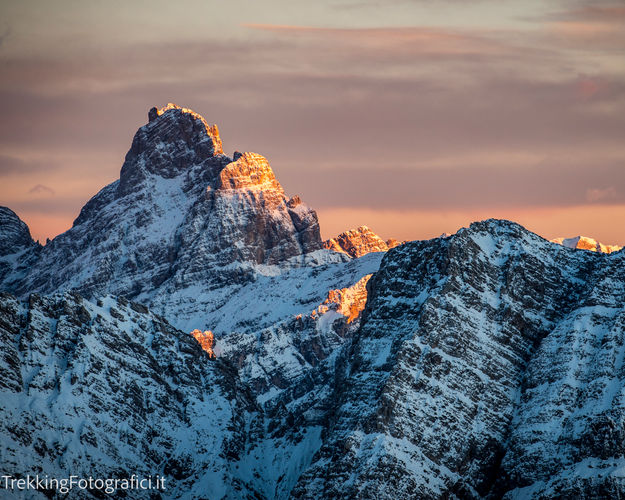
486 364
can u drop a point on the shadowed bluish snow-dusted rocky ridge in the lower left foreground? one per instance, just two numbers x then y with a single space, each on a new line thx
86 394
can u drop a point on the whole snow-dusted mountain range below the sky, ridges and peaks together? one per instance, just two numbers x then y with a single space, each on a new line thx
191 324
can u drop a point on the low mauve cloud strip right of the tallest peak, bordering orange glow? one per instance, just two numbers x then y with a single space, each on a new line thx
463 187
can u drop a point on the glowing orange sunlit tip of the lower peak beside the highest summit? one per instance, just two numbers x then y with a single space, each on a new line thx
248 171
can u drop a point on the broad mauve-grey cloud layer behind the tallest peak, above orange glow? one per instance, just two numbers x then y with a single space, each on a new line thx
413 118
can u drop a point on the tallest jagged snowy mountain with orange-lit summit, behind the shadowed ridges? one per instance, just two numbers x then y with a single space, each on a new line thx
184 228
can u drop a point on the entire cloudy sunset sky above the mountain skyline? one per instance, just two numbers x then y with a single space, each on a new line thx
414 117
